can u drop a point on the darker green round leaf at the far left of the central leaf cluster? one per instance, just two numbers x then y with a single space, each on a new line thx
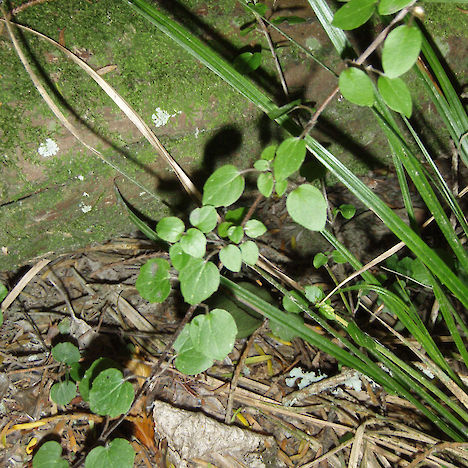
153 282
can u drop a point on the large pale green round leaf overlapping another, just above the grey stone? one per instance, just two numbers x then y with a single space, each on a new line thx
214 334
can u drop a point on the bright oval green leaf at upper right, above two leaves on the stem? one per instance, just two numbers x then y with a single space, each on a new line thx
401 50
